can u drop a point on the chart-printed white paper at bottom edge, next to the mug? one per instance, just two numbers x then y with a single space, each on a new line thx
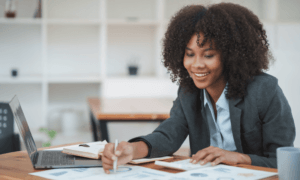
222 172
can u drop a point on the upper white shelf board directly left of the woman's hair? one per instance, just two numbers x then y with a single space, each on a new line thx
132 22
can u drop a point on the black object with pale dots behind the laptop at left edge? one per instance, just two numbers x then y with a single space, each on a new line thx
9 141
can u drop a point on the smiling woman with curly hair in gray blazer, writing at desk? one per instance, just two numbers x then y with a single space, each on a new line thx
232 111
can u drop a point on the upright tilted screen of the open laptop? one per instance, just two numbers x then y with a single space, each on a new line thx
23 127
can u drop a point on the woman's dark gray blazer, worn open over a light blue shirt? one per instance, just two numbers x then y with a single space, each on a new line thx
261 122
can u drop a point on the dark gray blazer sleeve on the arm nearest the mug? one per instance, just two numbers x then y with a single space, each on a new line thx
278 128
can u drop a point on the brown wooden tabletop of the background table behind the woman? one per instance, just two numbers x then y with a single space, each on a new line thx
131 108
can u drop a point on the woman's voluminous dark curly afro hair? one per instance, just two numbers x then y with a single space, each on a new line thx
236 32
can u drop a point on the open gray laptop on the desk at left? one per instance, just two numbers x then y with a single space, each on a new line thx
46 159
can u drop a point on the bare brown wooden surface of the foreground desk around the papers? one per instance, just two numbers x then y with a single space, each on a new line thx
17 165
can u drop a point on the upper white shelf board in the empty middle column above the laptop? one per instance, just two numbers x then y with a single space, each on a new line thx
74 21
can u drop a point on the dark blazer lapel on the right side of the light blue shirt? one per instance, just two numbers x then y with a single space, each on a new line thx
235 117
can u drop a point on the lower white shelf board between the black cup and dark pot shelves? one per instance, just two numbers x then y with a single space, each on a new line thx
74 79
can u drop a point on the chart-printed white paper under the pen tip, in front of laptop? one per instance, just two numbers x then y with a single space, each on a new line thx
124 172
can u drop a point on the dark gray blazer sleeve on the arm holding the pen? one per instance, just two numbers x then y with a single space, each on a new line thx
169 135
